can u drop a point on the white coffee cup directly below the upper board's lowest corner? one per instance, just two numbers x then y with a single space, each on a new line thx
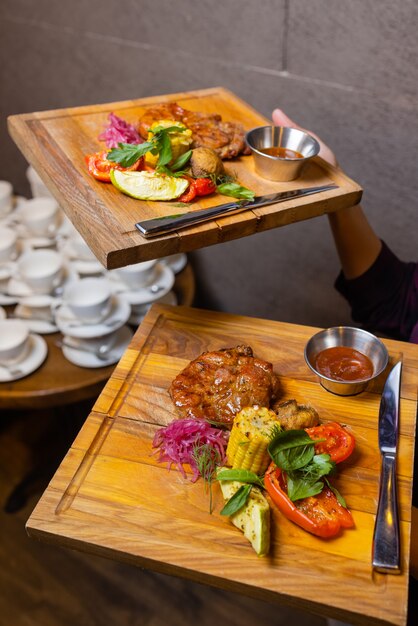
89 299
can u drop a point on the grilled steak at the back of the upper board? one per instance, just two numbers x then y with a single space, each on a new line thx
208 129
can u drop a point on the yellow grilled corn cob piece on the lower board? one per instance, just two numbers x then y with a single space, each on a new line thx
249 438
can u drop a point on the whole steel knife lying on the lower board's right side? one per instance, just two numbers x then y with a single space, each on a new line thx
386 542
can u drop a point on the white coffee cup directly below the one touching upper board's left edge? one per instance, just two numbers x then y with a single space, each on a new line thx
41 270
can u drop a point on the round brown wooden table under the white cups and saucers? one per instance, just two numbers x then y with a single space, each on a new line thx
58 382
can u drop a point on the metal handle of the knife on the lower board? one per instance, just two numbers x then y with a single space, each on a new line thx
386 544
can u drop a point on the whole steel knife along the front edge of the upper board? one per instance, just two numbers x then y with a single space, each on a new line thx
169 223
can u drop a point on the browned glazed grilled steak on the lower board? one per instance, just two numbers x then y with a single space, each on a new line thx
218 384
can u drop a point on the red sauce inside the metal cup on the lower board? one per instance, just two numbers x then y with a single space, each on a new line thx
343 363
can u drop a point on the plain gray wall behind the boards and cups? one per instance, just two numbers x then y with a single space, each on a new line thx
347 70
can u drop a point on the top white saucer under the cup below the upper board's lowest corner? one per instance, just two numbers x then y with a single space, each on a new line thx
66 321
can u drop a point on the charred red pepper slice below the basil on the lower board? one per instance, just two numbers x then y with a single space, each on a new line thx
321 515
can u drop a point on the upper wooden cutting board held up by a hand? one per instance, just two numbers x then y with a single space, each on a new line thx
55 143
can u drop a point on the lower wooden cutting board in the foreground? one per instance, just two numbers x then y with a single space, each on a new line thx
111 497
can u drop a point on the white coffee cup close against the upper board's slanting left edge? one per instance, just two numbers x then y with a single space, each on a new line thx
40 216
